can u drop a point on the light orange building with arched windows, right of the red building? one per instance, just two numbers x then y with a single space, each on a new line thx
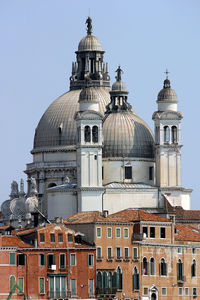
141 255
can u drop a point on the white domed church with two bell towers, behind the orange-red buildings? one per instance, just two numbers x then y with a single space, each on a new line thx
92 152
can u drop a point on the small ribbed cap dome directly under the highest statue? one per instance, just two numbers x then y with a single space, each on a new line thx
89 43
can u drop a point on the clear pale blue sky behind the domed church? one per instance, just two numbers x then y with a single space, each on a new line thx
38 40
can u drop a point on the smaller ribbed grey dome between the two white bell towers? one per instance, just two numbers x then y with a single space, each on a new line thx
127 135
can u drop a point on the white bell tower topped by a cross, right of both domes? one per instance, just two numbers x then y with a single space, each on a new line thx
167 120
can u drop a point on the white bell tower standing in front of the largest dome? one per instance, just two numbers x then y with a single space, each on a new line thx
89 151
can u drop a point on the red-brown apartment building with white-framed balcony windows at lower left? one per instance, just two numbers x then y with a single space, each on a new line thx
47 262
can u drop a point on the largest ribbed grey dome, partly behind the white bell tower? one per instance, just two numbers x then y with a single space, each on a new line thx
57 126
